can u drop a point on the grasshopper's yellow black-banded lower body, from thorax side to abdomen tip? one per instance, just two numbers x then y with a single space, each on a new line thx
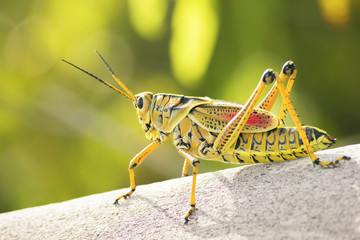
279 144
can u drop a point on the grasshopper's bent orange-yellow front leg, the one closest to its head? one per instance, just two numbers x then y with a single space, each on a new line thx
136 161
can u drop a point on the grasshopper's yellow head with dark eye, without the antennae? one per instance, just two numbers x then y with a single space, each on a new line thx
142 106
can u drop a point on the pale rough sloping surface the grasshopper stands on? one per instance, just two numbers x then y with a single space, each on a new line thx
265 201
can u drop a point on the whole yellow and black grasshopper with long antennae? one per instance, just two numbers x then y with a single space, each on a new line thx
204 128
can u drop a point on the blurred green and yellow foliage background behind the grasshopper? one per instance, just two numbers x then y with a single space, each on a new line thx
64 135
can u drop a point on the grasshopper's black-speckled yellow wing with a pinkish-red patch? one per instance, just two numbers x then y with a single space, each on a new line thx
214 117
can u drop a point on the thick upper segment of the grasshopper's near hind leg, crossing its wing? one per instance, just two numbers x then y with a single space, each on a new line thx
231 131
